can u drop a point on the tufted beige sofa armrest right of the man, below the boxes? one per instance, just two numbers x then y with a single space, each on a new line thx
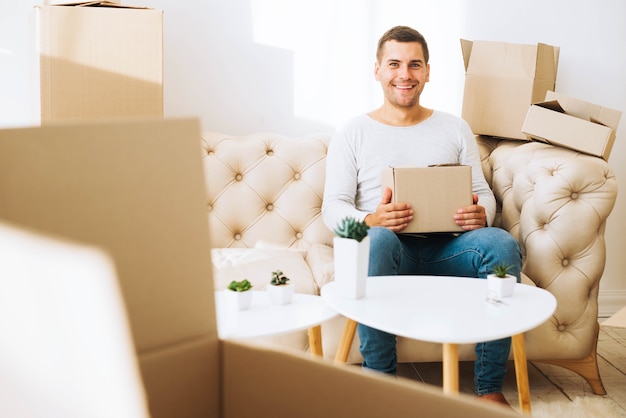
555 202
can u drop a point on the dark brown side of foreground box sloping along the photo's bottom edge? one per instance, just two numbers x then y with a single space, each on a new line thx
309 388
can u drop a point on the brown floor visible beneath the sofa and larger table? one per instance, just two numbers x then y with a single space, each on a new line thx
548 383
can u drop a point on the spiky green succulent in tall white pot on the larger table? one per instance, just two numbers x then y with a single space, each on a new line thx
351 257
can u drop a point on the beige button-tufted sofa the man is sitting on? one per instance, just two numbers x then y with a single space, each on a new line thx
264 205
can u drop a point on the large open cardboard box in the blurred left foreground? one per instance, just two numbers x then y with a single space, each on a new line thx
136 192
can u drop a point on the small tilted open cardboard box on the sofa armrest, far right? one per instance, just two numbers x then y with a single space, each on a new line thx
572 123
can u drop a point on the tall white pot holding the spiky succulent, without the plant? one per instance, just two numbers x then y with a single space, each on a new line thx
351 259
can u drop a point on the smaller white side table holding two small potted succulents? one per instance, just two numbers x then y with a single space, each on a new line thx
265 319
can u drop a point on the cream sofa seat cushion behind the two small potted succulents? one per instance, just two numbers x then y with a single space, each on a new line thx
257 265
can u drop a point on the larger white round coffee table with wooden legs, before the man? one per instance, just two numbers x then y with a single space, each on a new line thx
447 310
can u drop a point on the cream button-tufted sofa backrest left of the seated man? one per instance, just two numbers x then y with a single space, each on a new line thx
266 190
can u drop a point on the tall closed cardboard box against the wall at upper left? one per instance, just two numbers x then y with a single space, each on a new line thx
99 62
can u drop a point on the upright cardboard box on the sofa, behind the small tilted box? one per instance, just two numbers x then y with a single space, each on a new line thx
501 81
